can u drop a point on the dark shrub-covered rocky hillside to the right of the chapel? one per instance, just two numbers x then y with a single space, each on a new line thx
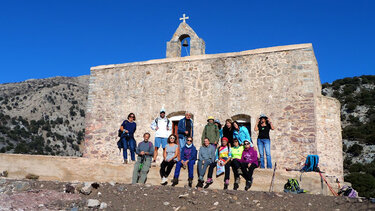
357 98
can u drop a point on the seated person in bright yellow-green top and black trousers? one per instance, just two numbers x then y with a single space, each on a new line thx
237 150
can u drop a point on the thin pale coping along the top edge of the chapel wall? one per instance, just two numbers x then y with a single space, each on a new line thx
207 56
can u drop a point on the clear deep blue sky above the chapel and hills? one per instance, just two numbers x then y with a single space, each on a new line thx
42 39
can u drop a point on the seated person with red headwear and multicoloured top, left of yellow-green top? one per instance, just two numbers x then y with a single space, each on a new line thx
222 158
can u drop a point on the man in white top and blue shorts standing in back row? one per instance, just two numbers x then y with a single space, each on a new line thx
163 128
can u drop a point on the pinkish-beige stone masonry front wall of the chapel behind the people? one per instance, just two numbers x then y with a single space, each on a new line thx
280 82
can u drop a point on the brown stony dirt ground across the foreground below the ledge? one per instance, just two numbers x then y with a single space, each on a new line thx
47 195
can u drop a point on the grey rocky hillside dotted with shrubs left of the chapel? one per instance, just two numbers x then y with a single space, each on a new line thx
44 116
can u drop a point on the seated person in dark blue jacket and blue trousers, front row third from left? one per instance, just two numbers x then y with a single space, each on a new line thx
187 159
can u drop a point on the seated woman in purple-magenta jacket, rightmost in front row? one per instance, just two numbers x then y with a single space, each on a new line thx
249 161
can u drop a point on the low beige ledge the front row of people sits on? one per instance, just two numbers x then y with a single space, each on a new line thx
71 169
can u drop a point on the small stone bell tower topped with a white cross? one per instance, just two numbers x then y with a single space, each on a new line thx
197 45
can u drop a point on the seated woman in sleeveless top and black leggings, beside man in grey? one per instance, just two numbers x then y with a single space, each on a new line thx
170 155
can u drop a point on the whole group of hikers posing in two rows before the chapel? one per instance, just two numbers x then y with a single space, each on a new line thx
222 148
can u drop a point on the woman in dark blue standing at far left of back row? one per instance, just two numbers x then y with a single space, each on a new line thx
128 128
